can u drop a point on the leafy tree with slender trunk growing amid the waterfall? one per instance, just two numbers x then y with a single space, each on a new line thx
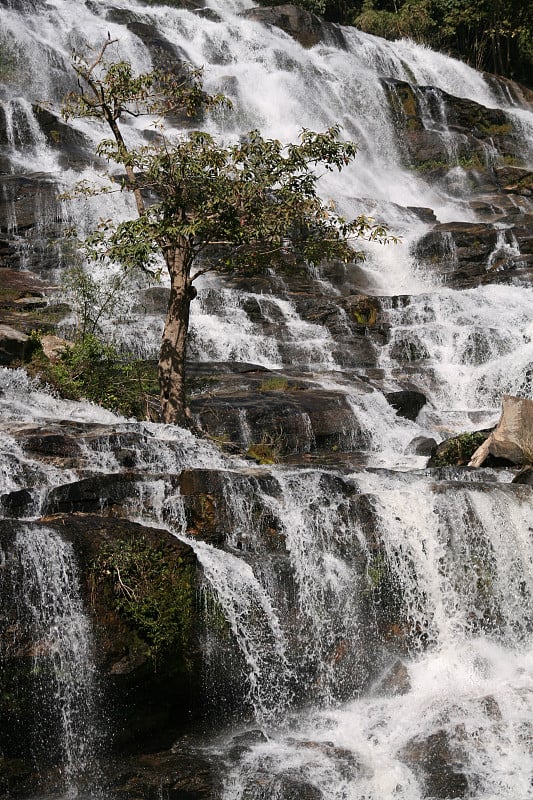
203 205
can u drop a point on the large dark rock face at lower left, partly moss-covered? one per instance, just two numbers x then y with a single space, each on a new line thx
149 698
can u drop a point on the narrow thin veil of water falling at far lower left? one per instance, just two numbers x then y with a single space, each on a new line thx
43 571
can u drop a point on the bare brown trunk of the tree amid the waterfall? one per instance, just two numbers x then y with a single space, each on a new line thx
174 342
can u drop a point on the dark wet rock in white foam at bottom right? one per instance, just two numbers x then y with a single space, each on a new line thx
438 761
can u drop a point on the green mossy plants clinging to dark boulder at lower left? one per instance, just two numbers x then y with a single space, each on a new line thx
154 591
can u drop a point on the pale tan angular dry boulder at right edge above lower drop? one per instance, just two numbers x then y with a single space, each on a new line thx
512 438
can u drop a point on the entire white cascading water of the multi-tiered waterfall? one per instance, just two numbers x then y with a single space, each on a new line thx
391 606
